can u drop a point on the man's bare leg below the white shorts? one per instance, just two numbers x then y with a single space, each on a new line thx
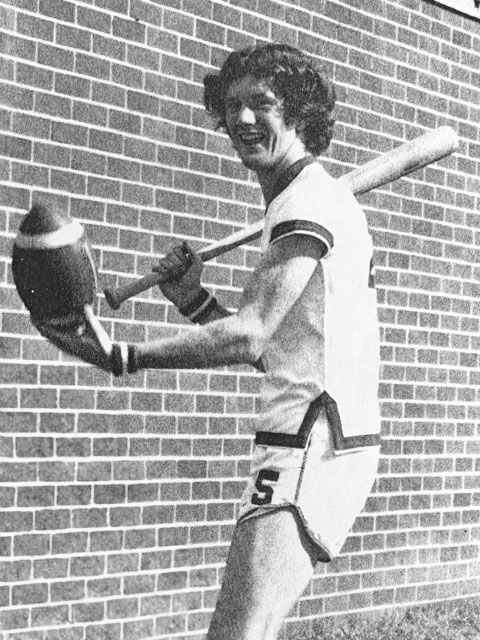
270 563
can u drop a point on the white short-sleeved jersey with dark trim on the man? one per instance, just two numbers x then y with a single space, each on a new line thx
325 353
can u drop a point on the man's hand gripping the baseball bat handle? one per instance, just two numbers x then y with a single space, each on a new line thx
182 269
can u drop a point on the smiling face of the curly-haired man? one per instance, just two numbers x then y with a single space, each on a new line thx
257 128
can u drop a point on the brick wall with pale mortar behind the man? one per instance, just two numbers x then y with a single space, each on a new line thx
118 497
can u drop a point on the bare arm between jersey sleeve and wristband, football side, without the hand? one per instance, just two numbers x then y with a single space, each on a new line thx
277 282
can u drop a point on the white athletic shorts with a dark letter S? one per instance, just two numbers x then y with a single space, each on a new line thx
328 489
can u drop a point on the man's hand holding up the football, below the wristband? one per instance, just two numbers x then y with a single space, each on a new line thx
80 335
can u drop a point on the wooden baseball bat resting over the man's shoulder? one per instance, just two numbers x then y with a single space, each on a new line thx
410 156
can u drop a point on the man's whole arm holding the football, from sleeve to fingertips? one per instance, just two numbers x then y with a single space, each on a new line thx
240 338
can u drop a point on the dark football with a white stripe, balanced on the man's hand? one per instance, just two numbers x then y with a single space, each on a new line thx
52 265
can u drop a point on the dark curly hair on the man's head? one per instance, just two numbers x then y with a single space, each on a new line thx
308 96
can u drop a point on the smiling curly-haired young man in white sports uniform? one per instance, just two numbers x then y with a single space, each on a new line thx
307 318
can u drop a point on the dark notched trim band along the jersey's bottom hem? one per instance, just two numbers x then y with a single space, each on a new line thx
299 441
